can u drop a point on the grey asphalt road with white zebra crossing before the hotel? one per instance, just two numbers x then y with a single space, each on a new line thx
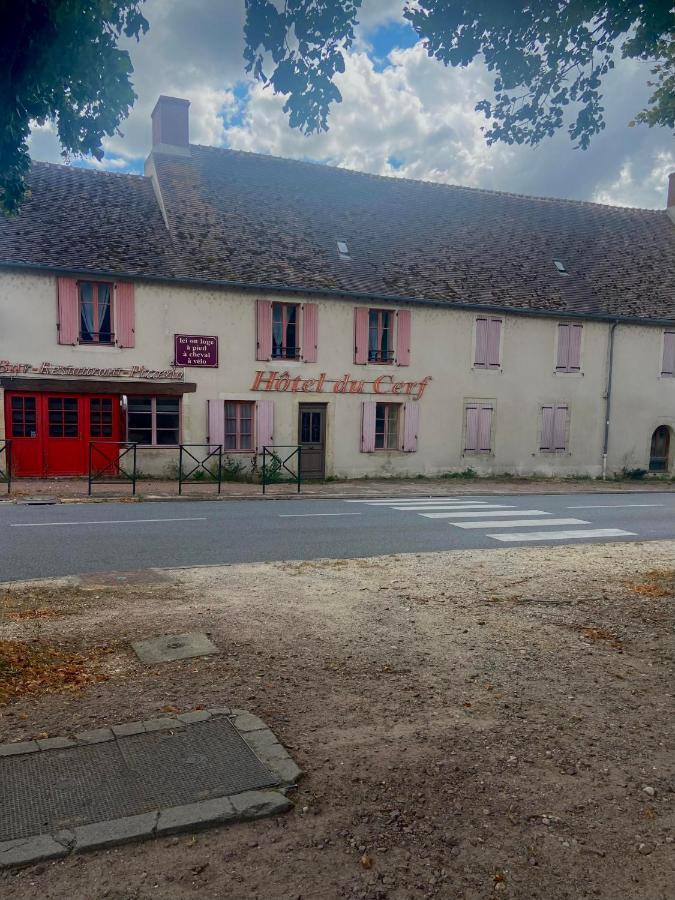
42 541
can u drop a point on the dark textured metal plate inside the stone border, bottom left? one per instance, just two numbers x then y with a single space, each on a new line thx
44 792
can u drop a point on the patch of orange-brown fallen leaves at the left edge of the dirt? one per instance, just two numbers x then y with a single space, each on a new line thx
32 667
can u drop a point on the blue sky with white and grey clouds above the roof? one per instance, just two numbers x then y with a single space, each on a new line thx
402 113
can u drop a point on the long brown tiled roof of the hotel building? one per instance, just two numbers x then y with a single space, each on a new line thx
259 220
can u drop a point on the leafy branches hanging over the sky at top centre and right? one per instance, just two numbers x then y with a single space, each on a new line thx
548 58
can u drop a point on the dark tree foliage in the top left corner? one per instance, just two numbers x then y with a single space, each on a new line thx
61 64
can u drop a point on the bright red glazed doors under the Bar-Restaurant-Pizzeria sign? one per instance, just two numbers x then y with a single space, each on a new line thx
50 433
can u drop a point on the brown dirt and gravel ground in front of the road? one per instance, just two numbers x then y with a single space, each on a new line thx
472 724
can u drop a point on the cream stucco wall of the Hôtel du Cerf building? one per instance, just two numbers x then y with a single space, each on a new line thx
442 350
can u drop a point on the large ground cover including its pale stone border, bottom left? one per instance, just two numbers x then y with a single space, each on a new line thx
138 780
